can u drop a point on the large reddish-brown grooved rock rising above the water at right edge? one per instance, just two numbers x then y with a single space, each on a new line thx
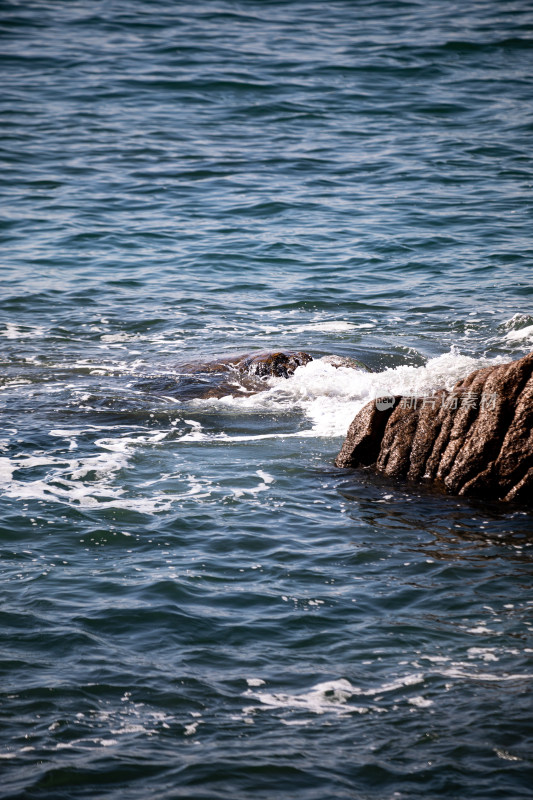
476 440
